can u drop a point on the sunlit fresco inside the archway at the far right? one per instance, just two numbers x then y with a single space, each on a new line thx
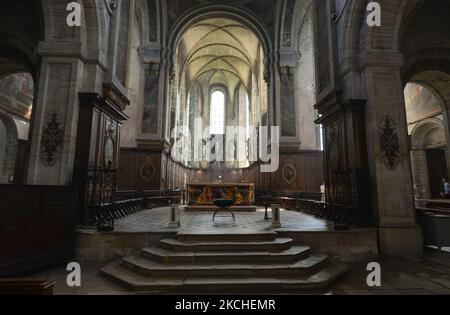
420 102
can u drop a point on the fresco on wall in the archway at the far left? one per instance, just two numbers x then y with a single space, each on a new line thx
16 94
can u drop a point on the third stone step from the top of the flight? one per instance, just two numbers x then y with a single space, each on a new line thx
290 255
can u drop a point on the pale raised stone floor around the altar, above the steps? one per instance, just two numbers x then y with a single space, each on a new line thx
156 220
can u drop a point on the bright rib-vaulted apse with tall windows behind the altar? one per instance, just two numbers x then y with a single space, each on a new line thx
220 92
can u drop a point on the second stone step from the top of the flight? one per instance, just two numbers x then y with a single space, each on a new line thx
278 244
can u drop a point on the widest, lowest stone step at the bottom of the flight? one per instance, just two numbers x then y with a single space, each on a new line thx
316 282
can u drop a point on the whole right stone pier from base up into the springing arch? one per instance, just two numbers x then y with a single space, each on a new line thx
370 61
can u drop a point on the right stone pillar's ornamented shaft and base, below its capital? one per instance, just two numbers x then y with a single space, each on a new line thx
389 158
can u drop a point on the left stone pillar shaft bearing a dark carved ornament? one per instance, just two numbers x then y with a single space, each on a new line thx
55 121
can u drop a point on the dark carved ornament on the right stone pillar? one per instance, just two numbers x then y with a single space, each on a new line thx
389 143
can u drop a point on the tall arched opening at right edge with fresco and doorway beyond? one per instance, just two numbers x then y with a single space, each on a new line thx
426 73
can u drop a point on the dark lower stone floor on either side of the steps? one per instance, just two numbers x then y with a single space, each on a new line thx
429 274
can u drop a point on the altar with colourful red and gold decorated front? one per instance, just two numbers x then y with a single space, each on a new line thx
200 197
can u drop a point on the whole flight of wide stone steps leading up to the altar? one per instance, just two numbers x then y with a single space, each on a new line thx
254 262
